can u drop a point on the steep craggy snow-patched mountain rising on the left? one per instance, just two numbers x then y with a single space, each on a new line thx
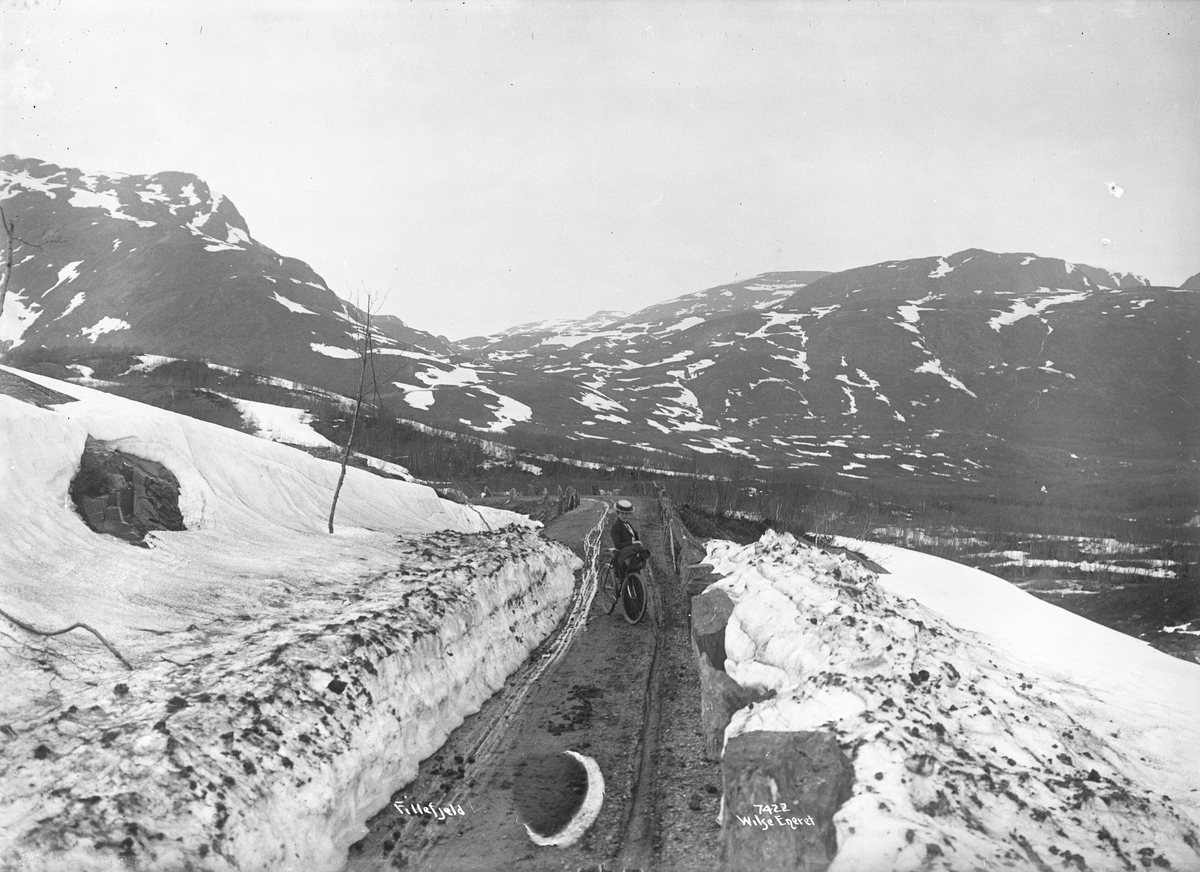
161 264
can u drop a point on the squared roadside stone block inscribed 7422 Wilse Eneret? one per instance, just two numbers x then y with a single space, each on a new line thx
782 791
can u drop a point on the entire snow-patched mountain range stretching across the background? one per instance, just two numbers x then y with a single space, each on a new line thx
970 368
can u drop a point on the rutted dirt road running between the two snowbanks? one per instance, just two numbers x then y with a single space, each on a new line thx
625 695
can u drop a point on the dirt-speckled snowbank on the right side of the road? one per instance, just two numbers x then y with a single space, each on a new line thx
988 730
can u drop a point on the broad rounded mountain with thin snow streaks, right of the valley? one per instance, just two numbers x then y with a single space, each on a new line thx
957 368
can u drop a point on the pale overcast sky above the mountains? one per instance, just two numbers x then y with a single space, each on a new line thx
493 164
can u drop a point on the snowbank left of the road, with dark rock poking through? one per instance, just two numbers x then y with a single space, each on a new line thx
284 681
